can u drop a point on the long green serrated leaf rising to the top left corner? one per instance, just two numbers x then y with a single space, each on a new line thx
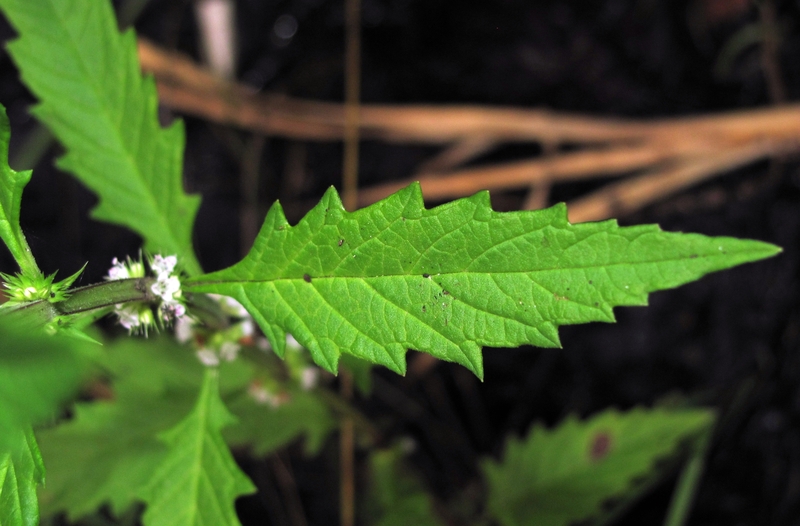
93 98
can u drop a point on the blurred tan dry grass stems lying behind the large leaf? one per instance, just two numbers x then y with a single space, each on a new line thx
663 155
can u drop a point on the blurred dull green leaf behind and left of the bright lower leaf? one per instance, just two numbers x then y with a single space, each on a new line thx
109 450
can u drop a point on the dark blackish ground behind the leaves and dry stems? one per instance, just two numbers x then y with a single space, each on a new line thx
728 341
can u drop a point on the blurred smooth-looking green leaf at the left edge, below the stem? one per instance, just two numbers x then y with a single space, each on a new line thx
37 374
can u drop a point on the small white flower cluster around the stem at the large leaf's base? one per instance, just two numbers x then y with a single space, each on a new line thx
138 316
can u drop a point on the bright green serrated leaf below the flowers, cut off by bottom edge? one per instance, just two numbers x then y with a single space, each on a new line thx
198 480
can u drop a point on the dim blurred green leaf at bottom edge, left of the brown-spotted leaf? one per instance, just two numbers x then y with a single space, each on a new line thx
396 496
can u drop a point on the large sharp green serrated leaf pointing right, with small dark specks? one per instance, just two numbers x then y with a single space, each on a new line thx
452 279
